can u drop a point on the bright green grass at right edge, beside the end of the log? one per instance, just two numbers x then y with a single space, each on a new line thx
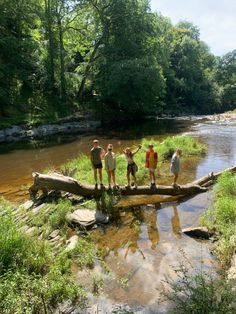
221 217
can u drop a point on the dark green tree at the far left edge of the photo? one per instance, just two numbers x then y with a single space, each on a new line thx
17 50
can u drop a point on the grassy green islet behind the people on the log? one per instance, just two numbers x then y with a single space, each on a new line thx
165 150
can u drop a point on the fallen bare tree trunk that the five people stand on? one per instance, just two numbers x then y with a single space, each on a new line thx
59 182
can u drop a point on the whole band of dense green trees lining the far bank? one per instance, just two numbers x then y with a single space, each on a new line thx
113 57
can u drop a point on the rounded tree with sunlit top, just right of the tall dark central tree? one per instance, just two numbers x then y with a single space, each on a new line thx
190 82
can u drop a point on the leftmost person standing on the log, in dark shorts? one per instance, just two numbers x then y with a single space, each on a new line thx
96 156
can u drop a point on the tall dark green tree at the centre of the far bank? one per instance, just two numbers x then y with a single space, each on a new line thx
129 79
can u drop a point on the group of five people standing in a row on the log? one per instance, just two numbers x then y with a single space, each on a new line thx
97 153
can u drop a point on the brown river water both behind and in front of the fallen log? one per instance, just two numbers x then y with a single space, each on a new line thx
143 248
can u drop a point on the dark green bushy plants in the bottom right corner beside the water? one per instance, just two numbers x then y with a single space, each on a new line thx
199 293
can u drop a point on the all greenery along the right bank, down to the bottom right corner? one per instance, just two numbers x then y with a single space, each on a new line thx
202 293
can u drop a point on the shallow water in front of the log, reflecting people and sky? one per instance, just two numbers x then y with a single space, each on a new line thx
145 248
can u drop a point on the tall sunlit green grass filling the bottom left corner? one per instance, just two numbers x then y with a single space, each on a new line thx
32 279
